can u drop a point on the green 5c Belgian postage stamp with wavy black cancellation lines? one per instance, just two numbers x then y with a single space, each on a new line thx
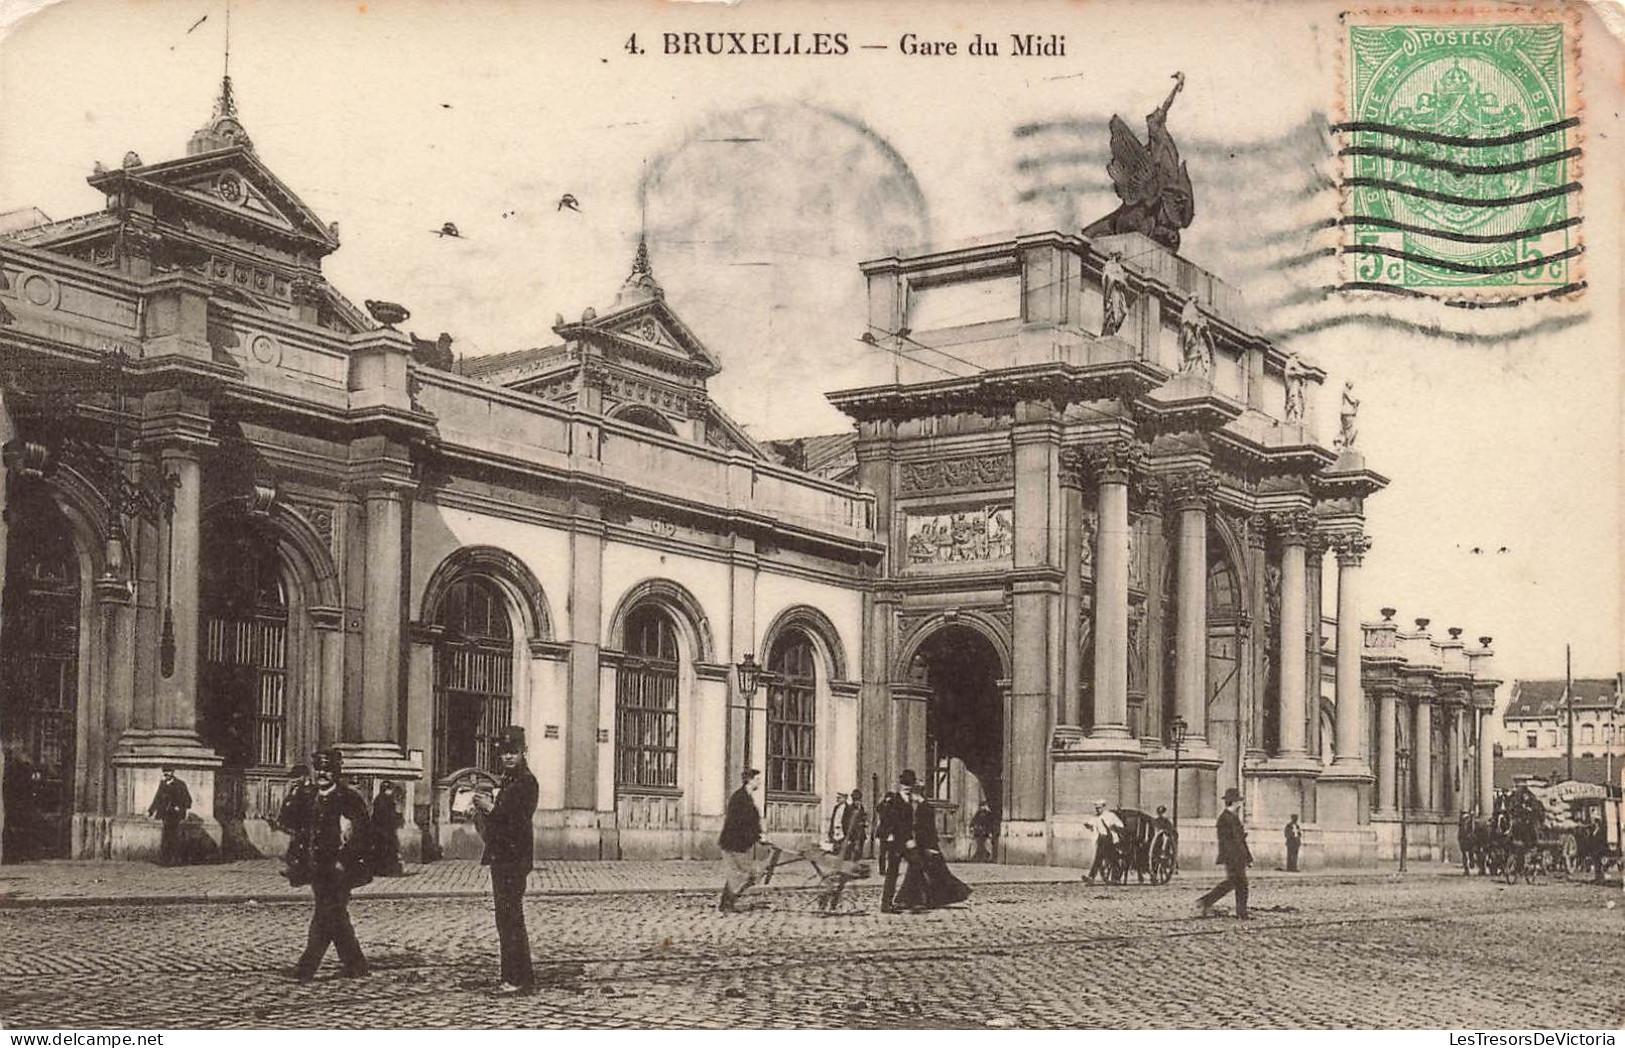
1462 154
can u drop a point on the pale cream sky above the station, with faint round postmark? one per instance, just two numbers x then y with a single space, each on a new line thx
763 181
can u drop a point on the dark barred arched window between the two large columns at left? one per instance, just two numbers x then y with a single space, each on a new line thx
245 660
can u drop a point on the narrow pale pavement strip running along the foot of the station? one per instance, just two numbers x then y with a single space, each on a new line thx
1195 881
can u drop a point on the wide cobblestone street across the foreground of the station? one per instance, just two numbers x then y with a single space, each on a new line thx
1324 951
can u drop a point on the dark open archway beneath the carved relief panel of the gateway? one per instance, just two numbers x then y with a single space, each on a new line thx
964 724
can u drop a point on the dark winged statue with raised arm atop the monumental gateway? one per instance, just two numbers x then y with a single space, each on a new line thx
1151 180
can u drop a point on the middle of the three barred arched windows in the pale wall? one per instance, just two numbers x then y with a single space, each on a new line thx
646 703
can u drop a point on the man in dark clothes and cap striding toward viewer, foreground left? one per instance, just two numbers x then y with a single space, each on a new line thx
331 834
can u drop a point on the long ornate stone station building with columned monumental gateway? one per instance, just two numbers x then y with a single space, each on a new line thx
245 521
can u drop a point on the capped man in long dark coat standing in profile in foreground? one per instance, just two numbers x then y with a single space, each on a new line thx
511 854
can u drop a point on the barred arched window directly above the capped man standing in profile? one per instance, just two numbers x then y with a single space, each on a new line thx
474 677
